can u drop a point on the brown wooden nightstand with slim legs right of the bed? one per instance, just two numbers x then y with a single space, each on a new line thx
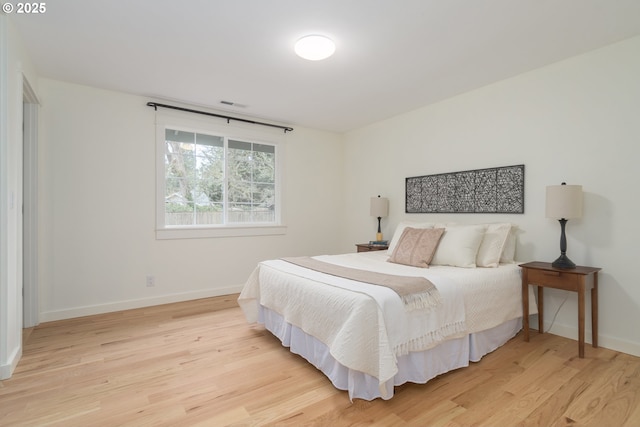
579 279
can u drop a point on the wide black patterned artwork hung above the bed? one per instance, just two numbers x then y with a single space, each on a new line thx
493 190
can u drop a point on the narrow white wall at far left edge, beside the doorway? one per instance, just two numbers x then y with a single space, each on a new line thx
14 66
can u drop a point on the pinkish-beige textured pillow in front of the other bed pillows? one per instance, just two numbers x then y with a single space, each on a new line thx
416 246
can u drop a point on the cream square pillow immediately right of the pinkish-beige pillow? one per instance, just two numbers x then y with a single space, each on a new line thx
459 246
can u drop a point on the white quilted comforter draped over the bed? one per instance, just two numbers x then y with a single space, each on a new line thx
366 326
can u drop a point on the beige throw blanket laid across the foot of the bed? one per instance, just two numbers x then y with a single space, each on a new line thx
415 292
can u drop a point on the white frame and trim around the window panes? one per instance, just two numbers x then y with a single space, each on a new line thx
244 133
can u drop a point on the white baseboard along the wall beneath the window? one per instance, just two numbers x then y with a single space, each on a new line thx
49 316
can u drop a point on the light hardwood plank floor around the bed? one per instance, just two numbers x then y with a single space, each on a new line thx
200 363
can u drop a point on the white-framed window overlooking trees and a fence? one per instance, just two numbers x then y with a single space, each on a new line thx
212 184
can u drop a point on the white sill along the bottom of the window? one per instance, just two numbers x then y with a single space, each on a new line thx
213 232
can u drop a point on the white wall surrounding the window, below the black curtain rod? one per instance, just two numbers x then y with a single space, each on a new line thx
97 209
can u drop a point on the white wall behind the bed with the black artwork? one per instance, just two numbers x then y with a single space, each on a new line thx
576 121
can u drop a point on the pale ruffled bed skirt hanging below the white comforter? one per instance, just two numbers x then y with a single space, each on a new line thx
416 367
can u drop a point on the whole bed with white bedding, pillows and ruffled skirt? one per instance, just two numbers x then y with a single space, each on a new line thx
368 338
